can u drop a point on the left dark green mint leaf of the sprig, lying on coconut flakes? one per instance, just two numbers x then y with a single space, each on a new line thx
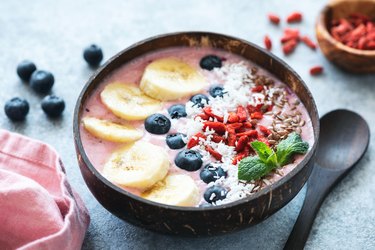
252 168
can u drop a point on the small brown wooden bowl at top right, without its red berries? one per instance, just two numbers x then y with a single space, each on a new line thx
350 59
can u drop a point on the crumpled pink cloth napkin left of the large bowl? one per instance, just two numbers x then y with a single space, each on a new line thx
38 208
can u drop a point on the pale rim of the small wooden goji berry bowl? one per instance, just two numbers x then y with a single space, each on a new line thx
322 21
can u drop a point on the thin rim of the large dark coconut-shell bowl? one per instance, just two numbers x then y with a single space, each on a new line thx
263 191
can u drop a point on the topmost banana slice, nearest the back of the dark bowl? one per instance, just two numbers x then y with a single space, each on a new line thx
169 79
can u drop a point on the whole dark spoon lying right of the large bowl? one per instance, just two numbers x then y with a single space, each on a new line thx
343 140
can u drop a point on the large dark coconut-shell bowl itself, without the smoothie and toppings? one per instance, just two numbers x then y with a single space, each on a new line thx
197 220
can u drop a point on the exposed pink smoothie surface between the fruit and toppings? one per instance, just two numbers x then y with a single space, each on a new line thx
98 150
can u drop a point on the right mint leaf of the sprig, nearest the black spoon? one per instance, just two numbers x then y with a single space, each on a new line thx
293 144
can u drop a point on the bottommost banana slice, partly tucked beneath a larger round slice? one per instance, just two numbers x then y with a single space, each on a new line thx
177 190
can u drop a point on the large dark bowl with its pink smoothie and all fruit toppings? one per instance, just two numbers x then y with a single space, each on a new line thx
195 133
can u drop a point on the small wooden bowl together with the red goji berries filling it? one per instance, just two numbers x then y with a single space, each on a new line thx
345 53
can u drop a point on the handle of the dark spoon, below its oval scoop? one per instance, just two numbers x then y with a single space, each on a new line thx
318 186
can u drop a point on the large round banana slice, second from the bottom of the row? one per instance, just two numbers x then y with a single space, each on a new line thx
137 165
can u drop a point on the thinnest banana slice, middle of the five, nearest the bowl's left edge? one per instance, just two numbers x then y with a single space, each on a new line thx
110 131
